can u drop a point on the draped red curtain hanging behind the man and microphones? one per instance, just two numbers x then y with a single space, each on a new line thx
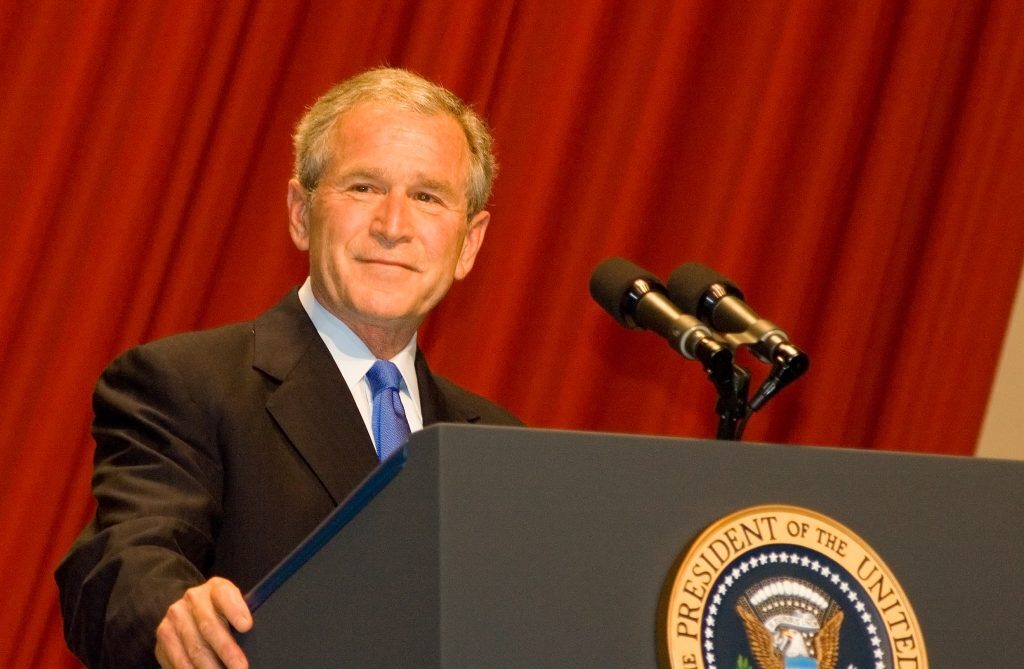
855 166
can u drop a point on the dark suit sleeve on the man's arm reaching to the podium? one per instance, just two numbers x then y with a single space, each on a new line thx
158 486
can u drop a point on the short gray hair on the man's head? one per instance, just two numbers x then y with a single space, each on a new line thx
407 91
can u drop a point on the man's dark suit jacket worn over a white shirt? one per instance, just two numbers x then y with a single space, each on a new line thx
218 452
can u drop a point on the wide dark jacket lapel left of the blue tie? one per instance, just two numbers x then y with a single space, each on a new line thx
313 405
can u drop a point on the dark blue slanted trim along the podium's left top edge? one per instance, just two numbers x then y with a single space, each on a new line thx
333 524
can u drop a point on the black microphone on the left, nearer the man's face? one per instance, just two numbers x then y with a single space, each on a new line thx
637 300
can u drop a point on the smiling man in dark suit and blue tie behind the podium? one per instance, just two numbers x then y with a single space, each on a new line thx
218 452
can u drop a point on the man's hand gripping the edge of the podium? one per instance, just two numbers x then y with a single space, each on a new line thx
195 633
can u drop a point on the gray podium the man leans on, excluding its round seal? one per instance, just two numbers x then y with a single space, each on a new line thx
513 548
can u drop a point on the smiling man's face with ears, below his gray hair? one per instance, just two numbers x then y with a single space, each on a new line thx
387 228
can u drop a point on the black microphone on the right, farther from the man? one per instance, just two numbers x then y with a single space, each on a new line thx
718 303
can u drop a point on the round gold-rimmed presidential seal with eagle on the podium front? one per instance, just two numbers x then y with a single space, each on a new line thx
784 588
